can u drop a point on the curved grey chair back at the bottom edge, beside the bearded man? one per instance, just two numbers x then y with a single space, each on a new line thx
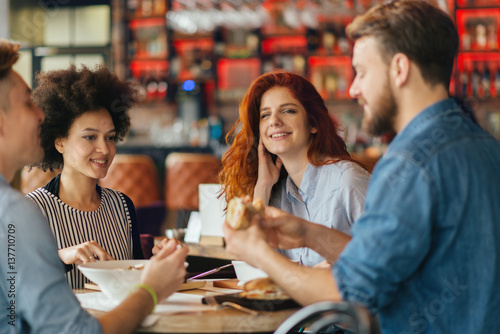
322 315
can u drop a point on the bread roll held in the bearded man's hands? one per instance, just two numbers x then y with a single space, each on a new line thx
240 212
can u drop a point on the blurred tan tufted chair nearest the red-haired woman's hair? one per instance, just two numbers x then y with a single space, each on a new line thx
184 172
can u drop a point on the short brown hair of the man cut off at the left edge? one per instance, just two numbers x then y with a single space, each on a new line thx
8 57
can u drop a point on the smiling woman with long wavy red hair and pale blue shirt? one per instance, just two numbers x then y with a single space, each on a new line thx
286 150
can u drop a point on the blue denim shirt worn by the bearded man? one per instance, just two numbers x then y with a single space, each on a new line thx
426 253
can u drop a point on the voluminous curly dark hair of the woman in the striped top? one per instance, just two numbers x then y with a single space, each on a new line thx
64 95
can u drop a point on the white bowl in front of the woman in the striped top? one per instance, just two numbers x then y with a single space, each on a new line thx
113 277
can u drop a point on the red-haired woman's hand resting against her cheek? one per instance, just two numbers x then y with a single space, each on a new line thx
268 174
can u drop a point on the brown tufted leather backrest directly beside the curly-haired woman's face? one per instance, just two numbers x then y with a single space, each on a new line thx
136 176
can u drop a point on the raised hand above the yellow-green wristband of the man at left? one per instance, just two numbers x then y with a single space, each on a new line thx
166 270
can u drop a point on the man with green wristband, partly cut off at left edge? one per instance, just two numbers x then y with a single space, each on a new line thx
34 294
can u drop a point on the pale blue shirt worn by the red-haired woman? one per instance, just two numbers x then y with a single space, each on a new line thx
331 195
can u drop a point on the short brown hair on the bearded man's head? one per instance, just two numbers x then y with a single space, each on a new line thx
424 33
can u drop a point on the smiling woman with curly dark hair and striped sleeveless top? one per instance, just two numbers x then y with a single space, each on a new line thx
86 113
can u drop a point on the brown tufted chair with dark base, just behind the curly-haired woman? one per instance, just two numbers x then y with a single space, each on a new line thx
136 176
